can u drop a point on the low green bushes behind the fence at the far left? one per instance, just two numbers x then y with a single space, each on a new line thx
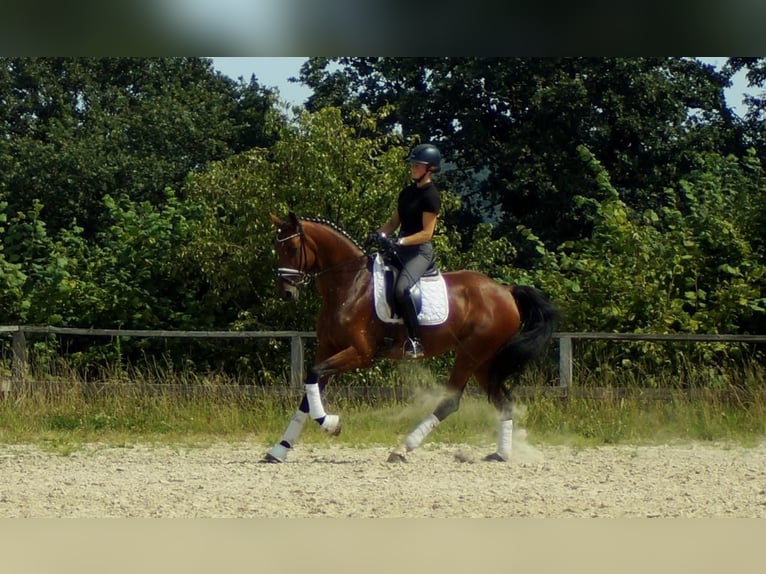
128 277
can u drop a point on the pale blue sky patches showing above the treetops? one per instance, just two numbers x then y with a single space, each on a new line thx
273 72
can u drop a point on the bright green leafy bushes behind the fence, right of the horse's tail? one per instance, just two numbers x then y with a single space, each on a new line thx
687 268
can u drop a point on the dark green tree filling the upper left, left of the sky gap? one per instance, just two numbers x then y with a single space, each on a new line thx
75 129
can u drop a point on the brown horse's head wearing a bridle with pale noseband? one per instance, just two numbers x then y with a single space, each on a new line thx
294 256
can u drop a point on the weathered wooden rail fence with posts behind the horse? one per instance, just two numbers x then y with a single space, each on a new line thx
297 367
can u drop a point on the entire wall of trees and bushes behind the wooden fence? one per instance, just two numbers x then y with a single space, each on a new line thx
136 192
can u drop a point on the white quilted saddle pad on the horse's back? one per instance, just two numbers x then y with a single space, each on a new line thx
435 307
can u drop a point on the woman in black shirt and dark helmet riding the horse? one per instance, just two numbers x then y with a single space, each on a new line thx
417 209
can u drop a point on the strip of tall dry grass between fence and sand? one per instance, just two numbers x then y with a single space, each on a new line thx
61 413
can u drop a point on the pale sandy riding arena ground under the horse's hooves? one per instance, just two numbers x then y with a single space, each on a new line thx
227 480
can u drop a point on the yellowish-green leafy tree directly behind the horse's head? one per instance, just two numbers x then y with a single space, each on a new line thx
320 167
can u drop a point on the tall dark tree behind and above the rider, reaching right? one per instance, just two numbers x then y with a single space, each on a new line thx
511 127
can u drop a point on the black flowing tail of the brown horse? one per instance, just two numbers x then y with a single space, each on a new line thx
538 316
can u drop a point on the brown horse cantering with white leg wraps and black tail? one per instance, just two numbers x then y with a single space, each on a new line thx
495 329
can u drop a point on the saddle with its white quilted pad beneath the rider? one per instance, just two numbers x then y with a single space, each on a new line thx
429 294
